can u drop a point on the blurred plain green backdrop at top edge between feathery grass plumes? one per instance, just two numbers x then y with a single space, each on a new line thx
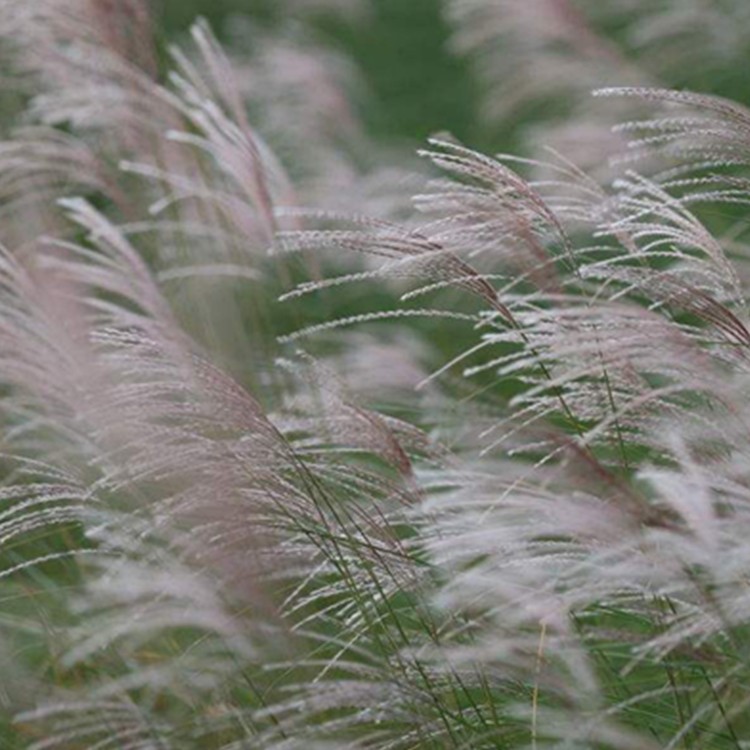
414 85
